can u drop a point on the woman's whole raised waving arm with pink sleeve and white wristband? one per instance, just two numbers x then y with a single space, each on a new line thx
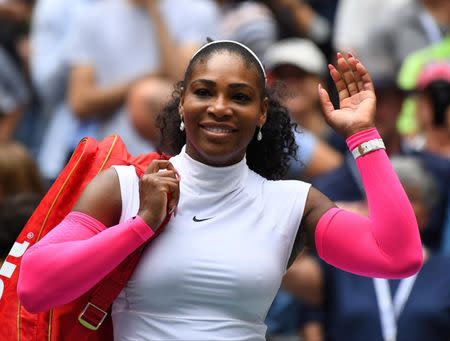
387 242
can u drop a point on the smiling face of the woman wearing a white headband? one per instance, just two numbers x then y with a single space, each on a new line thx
221 107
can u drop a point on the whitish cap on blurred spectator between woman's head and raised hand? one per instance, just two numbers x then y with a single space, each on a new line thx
301 53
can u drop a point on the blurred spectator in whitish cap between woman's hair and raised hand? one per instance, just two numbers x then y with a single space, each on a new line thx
298 66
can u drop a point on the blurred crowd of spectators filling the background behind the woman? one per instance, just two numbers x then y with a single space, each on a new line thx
70 69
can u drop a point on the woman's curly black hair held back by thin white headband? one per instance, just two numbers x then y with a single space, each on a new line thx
270 156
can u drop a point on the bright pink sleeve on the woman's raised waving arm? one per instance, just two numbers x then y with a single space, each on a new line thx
387 243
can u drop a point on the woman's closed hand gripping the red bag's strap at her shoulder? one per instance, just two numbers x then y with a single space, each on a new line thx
159 192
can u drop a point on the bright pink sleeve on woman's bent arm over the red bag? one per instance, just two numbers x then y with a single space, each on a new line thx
73 257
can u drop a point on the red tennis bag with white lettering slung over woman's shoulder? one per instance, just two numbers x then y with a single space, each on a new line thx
87 318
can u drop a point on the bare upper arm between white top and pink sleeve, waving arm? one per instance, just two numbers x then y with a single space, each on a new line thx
316 205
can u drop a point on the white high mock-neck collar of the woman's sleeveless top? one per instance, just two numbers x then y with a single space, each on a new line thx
199 178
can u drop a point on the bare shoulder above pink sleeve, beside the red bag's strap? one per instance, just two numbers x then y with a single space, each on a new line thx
101 198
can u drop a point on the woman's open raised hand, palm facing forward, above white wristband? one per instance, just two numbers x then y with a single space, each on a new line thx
357 101
